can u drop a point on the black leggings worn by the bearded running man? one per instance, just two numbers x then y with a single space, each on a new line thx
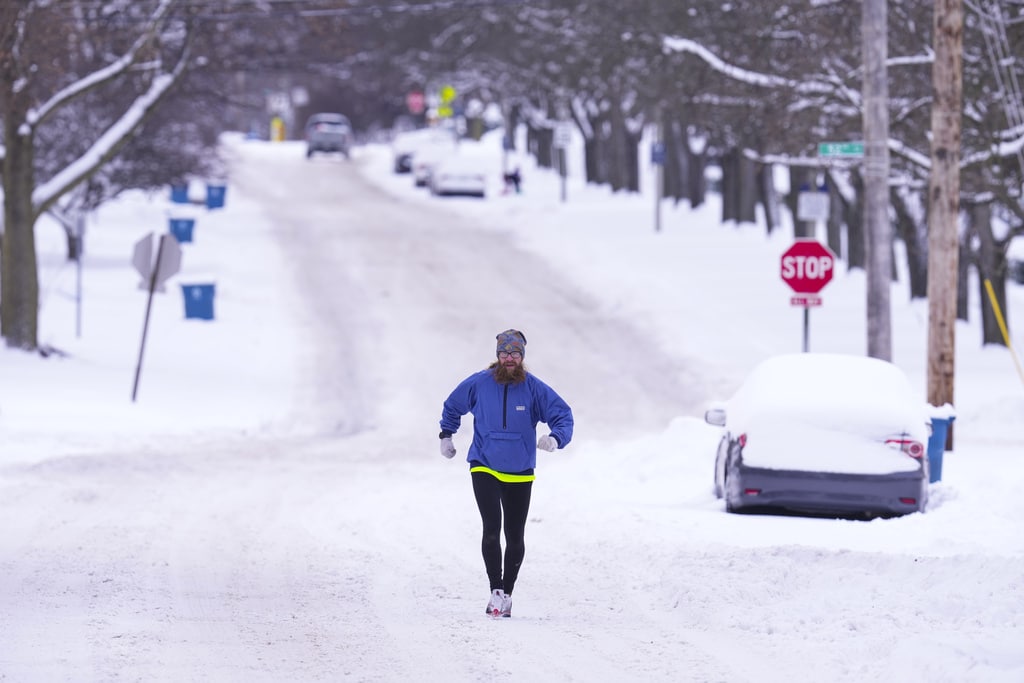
492 497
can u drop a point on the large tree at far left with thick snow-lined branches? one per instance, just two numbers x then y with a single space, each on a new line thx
55 56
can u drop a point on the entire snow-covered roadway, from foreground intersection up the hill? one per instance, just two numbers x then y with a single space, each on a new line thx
346 548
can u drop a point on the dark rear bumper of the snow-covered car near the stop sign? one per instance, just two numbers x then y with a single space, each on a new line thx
900 493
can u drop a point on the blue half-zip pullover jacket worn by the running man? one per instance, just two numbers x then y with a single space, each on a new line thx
505 418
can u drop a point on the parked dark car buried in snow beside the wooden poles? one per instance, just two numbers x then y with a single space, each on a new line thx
824 434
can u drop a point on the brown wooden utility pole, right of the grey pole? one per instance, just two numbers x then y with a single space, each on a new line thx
944 201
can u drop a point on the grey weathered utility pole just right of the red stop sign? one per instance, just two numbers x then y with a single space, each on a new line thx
879 231
